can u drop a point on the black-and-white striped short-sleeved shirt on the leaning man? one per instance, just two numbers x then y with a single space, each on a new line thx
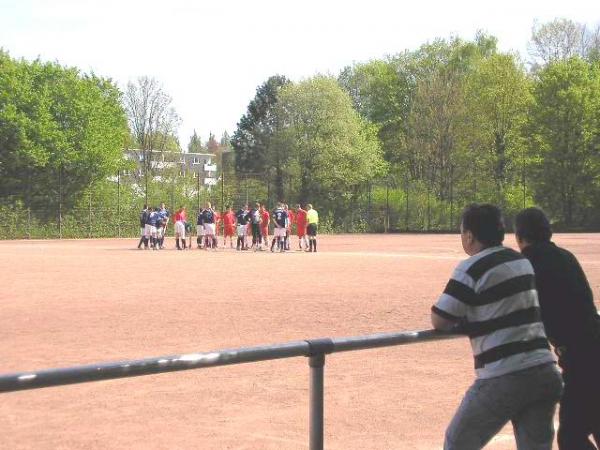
493 294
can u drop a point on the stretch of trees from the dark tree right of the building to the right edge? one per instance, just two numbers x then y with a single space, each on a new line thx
456 120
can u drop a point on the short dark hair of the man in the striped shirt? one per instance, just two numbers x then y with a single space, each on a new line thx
485 222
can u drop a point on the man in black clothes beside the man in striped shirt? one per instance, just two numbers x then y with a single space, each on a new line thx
572 325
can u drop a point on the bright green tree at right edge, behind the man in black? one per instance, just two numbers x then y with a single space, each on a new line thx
565 126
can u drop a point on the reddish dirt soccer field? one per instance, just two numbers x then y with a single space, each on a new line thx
66 303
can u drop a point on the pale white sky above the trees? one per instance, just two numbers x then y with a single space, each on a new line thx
211 57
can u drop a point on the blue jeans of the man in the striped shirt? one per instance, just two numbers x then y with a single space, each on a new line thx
527 398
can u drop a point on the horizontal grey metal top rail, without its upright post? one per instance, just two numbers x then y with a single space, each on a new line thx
133 368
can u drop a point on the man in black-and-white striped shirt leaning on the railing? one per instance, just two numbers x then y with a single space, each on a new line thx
491 296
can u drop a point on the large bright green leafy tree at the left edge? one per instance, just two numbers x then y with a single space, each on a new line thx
60 132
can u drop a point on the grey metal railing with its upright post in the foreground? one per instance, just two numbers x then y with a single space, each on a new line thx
314 349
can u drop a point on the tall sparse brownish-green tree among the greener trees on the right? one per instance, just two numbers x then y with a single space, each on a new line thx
438 112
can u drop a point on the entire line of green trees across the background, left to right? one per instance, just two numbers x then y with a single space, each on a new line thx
413 136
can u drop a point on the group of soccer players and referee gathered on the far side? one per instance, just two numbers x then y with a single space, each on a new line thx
250 226
